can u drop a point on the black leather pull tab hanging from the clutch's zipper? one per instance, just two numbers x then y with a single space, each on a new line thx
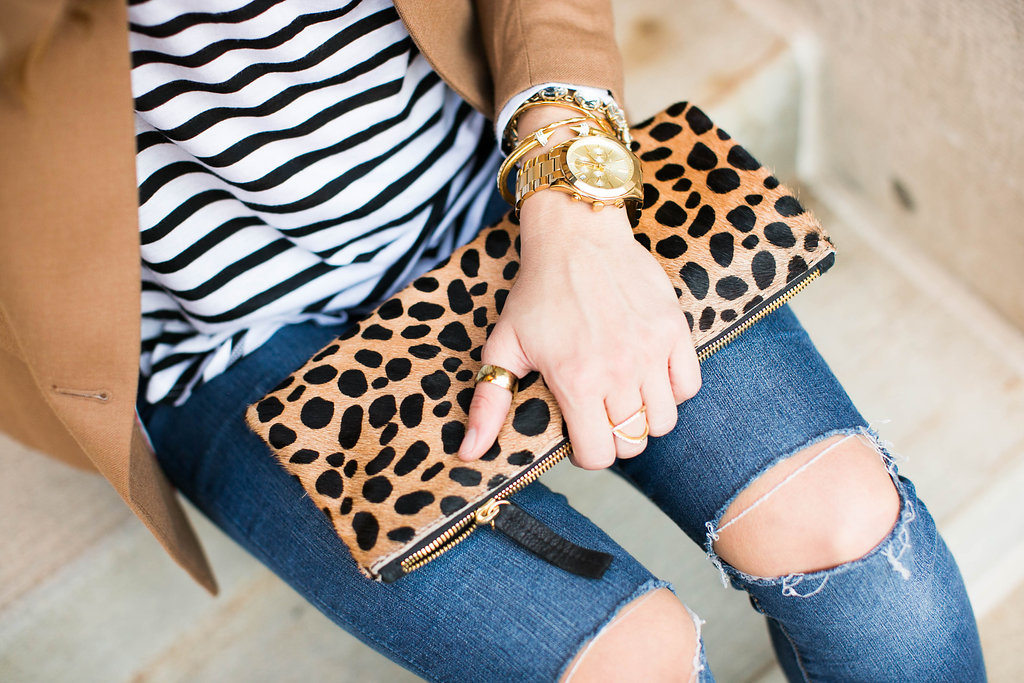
540 539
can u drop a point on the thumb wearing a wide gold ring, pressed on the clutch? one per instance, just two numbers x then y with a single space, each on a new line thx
491 404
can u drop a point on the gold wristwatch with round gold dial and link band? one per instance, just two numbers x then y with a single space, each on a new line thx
591 168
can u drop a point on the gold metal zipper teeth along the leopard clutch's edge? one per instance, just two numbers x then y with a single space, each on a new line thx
467 525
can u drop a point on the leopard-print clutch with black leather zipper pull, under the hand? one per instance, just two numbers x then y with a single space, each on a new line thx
371 424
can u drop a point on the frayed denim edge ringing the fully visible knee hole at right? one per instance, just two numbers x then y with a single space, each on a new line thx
907 516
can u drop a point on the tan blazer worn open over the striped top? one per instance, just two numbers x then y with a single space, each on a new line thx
70 280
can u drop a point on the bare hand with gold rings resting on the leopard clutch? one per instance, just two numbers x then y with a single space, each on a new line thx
596 315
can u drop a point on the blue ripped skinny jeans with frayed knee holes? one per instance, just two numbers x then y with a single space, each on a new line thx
490 611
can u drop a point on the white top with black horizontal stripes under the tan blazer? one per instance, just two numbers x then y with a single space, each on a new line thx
296 161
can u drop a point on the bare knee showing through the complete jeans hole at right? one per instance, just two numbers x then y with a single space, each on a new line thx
829 504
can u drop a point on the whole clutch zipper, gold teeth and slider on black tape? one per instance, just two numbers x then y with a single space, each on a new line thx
486 513
